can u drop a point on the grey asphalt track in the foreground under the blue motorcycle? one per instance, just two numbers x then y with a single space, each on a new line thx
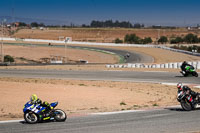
168 120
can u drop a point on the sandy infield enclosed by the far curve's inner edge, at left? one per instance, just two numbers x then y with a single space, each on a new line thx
72 55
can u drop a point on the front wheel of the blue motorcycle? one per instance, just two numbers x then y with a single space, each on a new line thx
31 117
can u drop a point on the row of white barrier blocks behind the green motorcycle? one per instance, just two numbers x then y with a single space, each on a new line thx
175 65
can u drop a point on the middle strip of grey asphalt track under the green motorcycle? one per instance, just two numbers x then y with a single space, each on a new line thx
130 76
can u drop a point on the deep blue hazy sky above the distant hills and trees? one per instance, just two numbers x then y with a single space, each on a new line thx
157 12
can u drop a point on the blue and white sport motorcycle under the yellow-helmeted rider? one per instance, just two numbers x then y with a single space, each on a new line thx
34 113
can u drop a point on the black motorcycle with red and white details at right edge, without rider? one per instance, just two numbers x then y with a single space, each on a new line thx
186 100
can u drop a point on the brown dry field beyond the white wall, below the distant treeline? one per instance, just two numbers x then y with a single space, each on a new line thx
99 34
